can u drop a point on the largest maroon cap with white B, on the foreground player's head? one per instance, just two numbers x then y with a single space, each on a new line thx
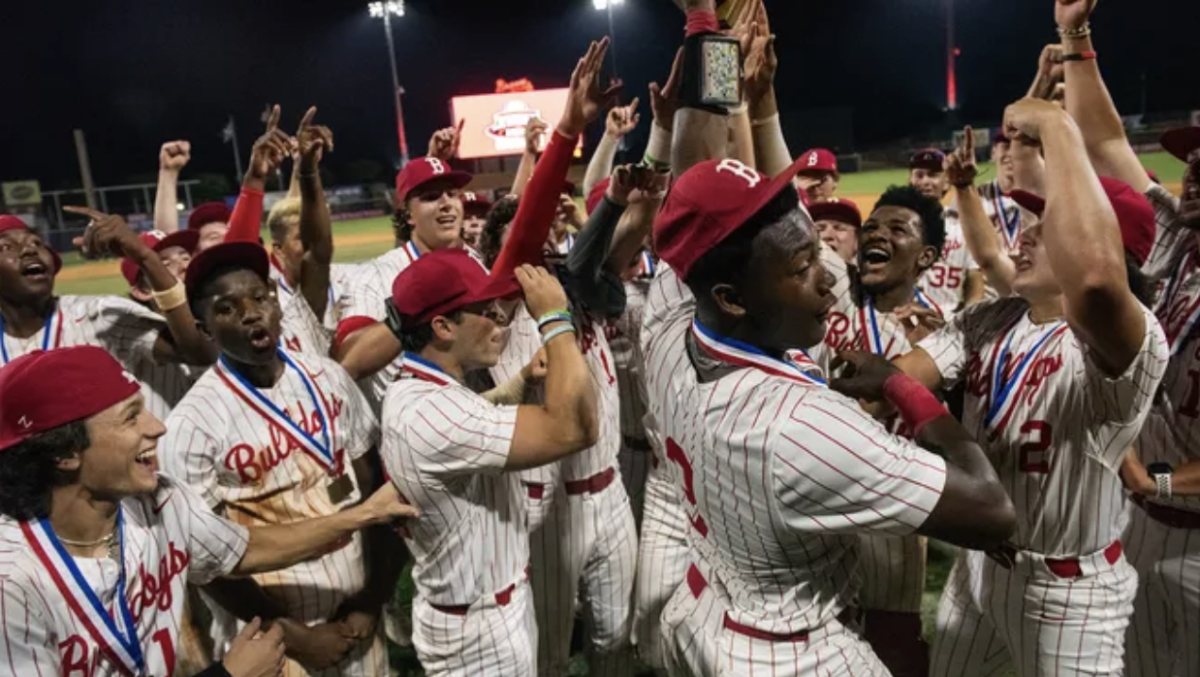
709 203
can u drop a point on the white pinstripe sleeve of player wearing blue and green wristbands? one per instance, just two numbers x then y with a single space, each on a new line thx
455 433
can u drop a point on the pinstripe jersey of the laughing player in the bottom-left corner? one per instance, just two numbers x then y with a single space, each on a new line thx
171 540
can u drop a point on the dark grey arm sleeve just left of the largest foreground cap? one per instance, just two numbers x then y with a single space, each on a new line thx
599 290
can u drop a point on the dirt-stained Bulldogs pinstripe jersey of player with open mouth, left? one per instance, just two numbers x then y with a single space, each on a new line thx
254 472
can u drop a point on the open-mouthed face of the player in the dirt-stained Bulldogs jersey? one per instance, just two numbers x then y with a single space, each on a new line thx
239 311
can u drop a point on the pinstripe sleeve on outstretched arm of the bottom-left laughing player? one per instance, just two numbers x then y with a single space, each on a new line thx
215 544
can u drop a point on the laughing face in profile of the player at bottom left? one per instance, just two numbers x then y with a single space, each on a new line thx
123 457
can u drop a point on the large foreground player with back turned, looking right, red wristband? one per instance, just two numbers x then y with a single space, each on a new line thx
767 458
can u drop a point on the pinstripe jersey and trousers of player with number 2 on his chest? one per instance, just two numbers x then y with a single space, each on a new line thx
1059 458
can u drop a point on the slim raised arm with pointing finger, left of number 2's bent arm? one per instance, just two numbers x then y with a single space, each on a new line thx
979 231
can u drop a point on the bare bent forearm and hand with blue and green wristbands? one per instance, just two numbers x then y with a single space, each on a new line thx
568 421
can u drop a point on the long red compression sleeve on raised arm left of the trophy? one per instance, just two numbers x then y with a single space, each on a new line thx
536 213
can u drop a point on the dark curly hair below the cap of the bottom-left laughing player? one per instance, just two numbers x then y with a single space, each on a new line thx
29 471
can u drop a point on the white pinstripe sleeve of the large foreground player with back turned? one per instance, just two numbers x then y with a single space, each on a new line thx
892 489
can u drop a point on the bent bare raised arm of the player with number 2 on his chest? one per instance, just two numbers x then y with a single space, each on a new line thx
1083 238
